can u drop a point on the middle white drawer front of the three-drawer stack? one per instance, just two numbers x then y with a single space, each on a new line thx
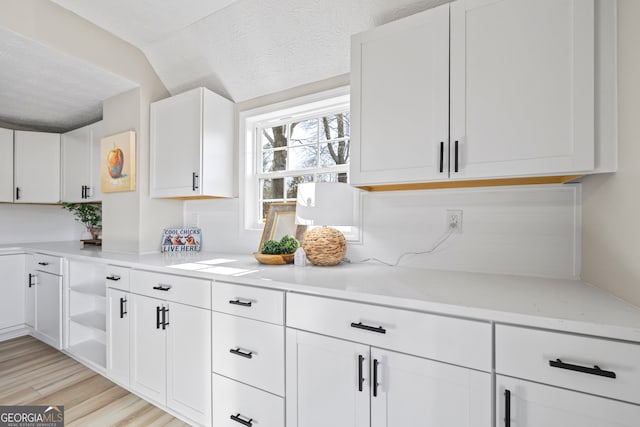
249 351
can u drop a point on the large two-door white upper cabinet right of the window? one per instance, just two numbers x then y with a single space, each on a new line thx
476 89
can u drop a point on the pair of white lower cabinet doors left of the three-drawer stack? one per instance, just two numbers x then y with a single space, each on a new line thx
171 356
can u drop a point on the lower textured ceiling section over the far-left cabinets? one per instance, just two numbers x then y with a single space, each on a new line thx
43 89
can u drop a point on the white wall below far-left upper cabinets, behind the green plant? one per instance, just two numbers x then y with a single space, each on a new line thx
37 223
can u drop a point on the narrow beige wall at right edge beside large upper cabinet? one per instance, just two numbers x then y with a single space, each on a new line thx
611 230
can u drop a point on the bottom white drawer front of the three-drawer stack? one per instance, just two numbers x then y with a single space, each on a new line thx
231 398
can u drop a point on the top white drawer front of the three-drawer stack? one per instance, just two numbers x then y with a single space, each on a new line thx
246 301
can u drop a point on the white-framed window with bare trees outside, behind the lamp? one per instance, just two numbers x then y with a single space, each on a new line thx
303 140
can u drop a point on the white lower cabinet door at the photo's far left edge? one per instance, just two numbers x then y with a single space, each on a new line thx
12 268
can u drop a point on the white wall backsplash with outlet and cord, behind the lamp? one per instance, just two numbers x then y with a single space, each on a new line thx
532 230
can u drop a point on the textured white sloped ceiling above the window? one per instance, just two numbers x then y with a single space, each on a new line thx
245 48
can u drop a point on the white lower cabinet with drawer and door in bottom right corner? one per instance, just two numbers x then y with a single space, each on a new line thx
556 379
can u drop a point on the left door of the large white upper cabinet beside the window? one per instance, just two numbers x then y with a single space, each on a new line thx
400 100
